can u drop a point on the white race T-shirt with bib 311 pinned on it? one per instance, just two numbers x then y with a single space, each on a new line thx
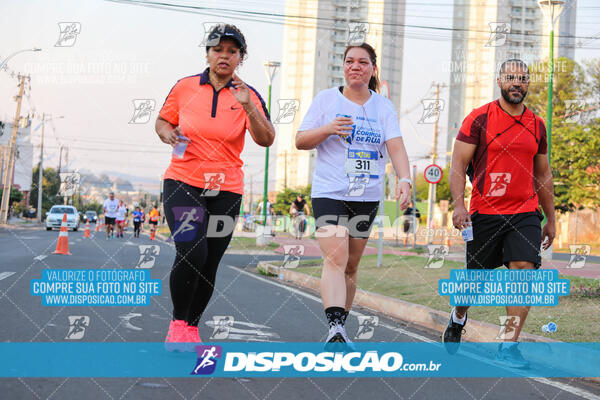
351 168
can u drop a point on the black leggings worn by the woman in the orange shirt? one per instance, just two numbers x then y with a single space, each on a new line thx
189 214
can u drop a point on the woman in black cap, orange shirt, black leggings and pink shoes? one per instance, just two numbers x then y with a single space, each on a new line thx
205 118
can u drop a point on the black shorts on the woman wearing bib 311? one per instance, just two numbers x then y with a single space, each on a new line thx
357 216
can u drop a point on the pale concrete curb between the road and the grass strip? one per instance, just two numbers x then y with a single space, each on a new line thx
419 315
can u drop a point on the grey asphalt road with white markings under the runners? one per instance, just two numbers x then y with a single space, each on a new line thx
261 309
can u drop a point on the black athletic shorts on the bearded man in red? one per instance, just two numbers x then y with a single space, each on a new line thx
499 239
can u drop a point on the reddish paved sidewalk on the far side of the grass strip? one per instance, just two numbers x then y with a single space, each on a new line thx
311 249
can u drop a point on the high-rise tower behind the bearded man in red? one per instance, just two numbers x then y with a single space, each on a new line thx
488 32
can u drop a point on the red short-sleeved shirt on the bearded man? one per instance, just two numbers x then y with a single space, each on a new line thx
503 181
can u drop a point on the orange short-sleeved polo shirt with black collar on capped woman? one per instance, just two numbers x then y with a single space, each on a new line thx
216 124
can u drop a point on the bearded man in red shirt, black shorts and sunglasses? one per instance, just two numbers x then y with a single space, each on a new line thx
503 147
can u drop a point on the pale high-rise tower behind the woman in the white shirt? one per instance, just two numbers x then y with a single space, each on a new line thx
316 34
